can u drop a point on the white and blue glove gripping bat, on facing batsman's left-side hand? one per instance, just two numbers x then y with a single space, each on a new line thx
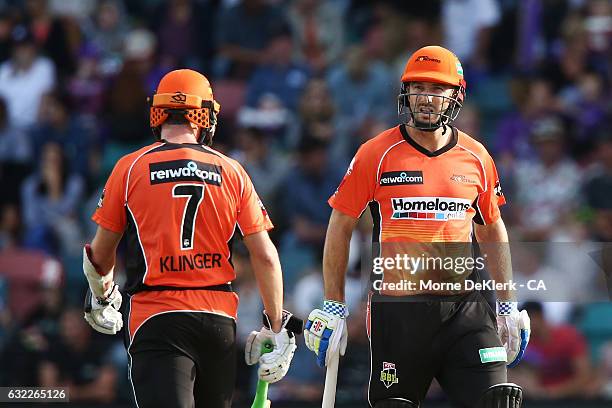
325 332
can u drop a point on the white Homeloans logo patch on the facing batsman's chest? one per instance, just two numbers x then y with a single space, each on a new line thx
429 208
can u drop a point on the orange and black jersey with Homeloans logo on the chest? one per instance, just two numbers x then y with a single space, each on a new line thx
422 203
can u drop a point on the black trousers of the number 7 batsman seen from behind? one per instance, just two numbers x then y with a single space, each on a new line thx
184 360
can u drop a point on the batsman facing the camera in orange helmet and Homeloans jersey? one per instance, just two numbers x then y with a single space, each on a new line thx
425 182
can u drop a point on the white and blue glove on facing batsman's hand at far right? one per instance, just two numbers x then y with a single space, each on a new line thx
514 329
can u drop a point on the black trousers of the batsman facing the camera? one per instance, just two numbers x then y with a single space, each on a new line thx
451 338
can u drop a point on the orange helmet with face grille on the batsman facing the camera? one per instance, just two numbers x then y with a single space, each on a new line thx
438 65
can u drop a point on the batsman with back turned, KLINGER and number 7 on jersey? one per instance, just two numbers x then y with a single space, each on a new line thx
177 203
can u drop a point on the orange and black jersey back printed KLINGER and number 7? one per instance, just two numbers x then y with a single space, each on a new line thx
178 206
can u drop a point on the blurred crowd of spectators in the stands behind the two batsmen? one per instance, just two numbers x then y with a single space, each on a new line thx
302 83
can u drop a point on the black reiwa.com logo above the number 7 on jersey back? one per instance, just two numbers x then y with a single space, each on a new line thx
185 170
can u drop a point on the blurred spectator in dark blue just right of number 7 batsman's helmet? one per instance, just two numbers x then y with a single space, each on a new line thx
278 75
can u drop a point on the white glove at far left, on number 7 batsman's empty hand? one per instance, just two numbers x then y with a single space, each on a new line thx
103 314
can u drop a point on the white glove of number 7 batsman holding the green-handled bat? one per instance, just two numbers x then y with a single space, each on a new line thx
273 365
